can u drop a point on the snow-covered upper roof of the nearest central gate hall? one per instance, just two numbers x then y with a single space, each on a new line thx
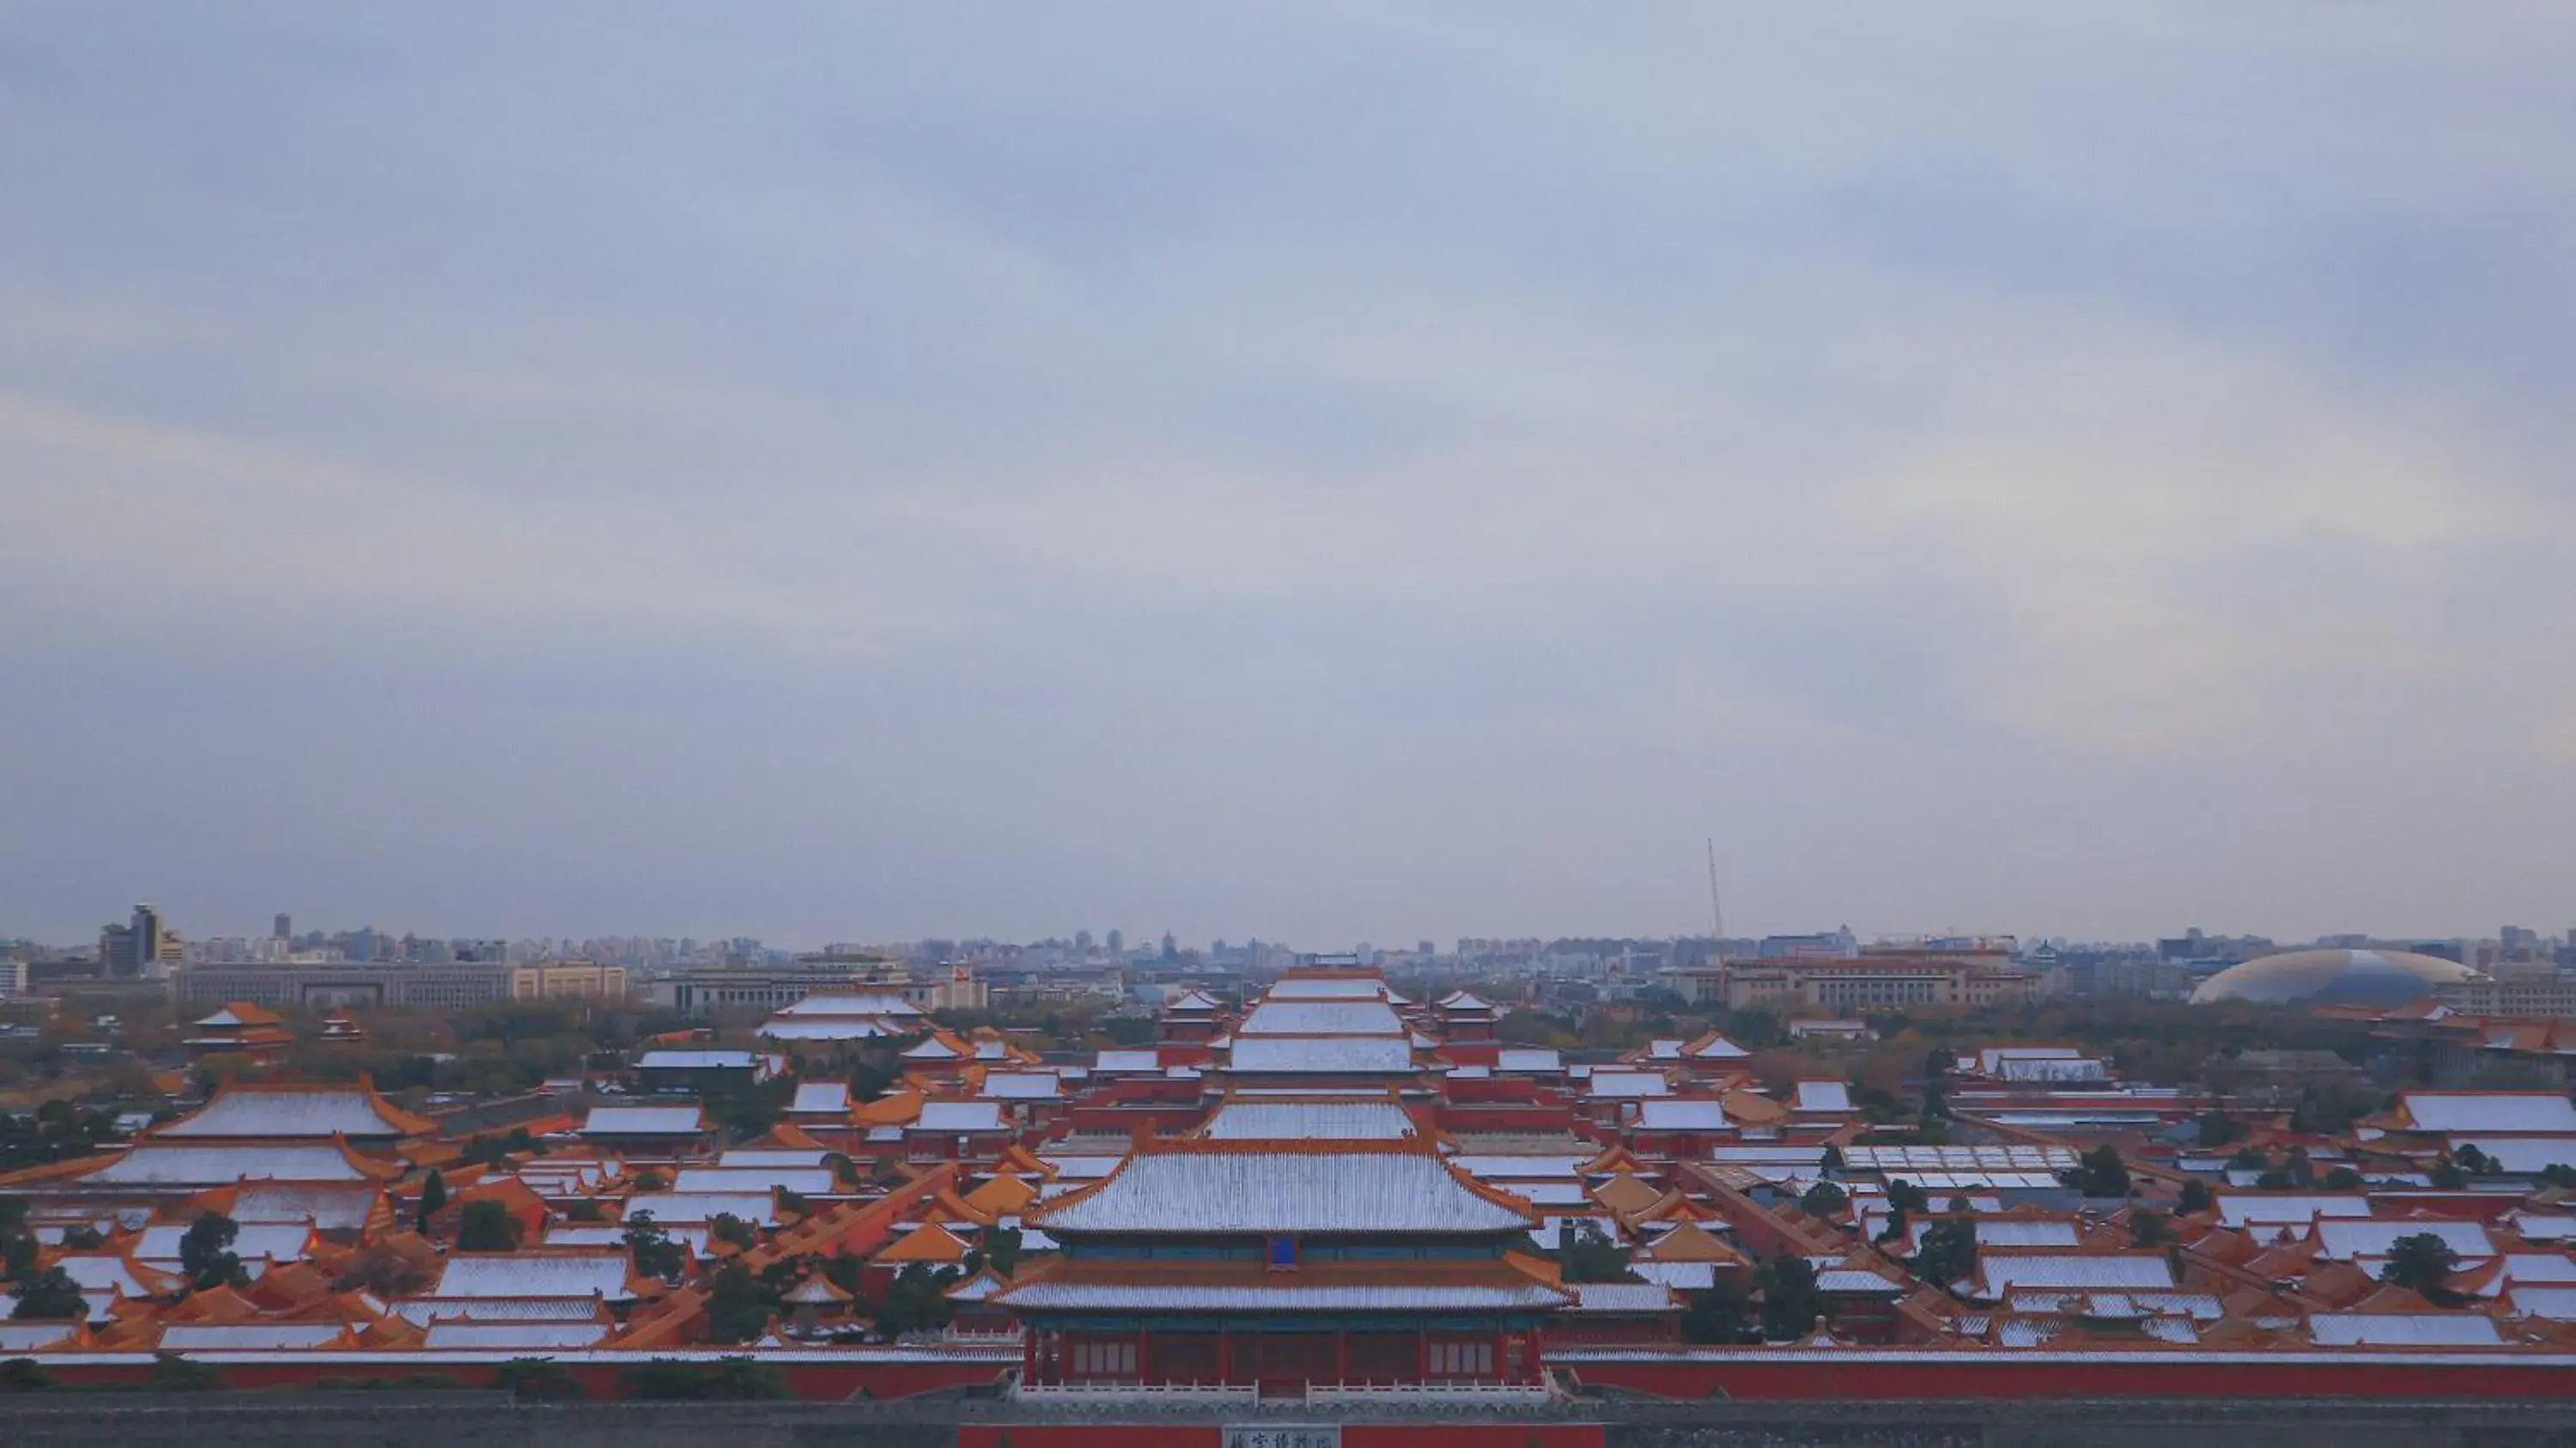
1235 1189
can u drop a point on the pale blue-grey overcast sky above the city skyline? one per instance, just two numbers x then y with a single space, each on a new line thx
1323 473
